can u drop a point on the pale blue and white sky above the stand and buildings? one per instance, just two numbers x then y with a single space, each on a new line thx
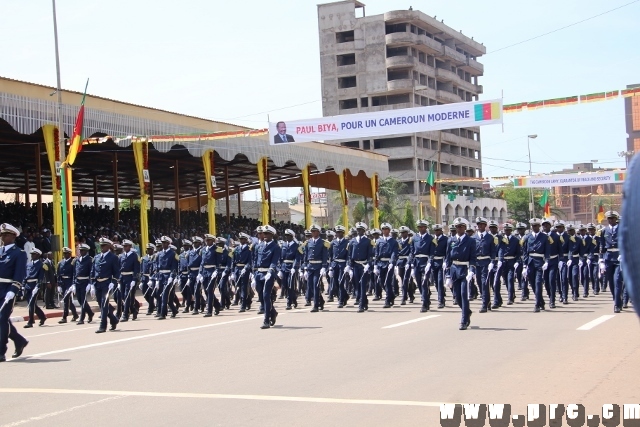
238 61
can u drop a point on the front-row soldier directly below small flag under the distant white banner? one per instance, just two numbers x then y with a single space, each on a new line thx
535 256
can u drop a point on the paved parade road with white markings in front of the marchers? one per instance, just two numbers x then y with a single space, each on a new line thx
335 367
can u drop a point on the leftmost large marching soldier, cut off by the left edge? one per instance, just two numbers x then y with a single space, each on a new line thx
13 261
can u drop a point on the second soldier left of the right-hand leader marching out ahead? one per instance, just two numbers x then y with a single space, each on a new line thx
422 248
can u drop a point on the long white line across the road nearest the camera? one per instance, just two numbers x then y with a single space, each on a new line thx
258 397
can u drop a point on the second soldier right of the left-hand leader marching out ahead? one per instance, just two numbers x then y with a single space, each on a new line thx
316 257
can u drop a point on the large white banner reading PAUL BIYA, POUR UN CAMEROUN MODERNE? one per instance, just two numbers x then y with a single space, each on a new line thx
389 122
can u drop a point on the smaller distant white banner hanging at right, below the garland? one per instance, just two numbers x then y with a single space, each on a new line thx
570 179
